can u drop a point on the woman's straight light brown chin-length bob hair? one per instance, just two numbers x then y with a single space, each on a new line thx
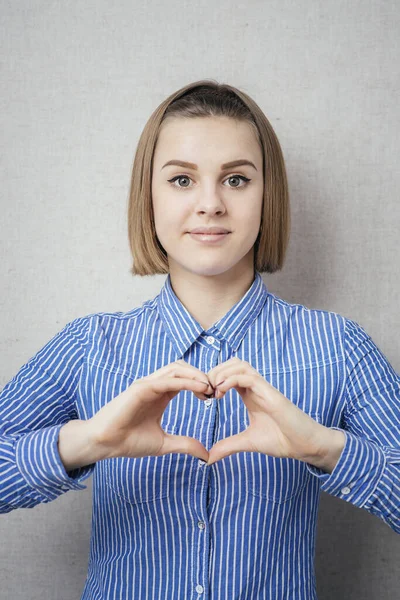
207 98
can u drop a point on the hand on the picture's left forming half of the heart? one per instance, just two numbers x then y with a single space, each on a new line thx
130 424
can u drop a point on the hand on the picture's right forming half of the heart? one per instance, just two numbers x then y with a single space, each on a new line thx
277 427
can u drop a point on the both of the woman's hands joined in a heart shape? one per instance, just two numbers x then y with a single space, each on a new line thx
130 424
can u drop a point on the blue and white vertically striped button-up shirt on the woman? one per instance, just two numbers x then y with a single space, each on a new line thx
169 526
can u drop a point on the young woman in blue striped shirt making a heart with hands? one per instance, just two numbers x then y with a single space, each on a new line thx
211 416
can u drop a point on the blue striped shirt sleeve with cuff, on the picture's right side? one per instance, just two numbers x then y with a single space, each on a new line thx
367 473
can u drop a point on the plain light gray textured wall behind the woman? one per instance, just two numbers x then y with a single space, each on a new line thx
79 80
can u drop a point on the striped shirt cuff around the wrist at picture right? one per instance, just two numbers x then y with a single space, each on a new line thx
357 473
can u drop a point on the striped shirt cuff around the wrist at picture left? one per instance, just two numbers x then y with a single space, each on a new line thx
39 462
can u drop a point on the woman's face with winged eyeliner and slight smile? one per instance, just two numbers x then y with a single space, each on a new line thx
188 197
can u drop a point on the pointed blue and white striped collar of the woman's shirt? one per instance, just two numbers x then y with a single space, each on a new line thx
183 329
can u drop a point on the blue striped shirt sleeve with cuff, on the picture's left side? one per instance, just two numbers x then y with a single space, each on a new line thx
34 406
